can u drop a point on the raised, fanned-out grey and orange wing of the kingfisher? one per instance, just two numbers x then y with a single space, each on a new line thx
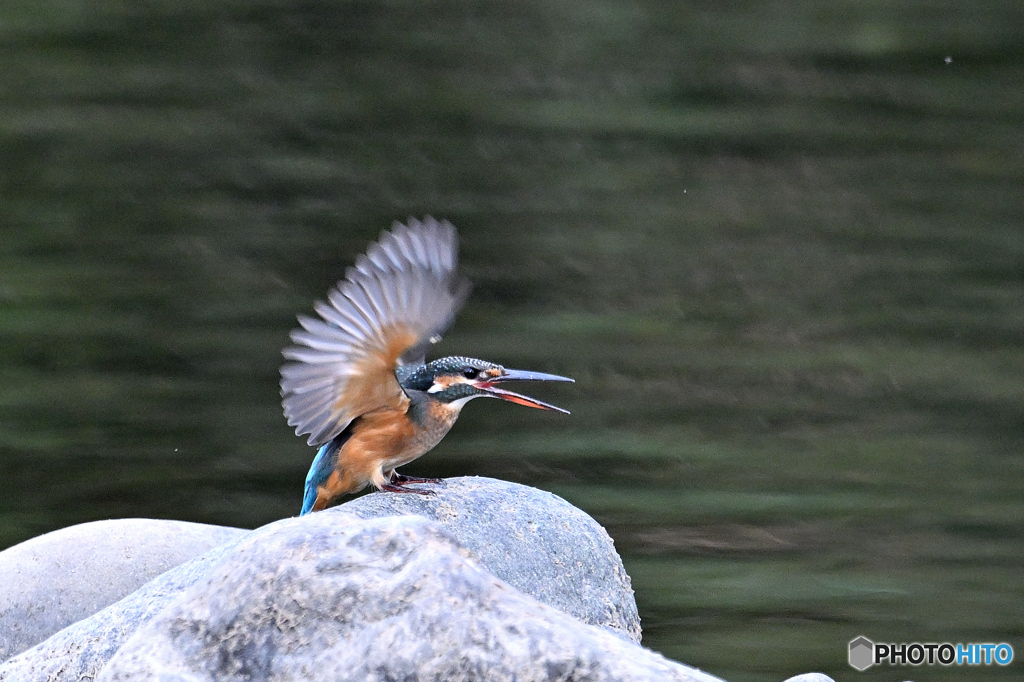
392 307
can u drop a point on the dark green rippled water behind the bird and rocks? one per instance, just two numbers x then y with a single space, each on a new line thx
780 246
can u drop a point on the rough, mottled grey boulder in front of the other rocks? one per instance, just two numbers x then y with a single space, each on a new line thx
333 598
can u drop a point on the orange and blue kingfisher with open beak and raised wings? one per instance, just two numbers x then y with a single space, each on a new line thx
357 380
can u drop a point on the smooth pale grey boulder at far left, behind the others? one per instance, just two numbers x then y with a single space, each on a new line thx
53 581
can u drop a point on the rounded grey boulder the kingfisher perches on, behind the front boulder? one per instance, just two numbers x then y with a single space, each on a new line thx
534 540
